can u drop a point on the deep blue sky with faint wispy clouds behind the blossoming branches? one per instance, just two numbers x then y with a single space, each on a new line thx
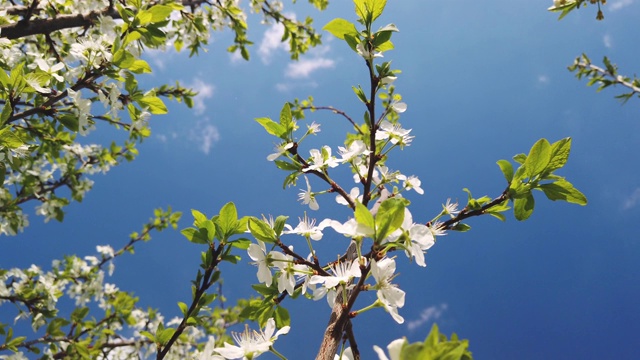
483 81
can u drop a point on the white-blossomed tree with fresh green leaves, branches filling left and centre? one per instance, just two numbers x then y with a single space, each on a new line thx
70 68
